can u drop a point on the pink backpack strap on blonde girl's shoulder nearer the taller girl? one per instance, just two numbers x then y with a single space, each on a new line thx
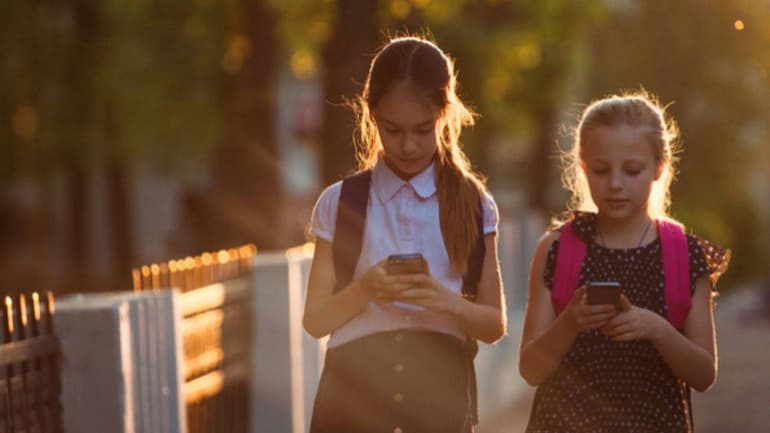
570 256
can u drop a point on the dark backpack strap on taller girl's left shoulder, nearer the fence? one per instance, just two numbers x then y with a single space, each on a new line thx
349 226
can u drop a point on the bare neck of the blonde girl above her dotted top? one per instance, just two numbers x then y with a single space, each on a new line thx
625 234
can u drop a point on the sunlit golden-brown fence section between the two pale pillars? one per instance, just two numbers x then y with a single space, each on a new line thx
216 333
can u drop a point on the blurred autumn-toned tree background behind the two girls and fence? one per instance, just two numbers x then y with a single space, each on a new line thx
134 132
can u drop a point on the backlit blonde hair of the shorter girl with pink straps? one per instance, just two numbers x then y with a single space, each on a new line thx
638 109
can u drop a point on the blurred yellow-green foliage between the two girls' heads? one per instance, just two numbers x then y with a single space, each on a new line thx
518 62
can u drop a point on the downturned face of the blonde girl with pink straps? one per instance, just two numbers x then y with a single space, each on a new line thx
620 165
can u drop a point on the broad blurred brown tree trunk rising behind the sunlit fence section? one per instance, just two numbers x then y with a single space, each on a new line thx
246 194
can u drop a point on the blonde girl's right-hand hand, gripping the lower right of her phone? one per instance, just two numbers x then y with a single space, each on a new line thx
633 323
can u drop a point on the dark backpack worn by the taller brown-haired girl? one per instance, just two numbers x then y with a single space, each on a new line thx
346 248
